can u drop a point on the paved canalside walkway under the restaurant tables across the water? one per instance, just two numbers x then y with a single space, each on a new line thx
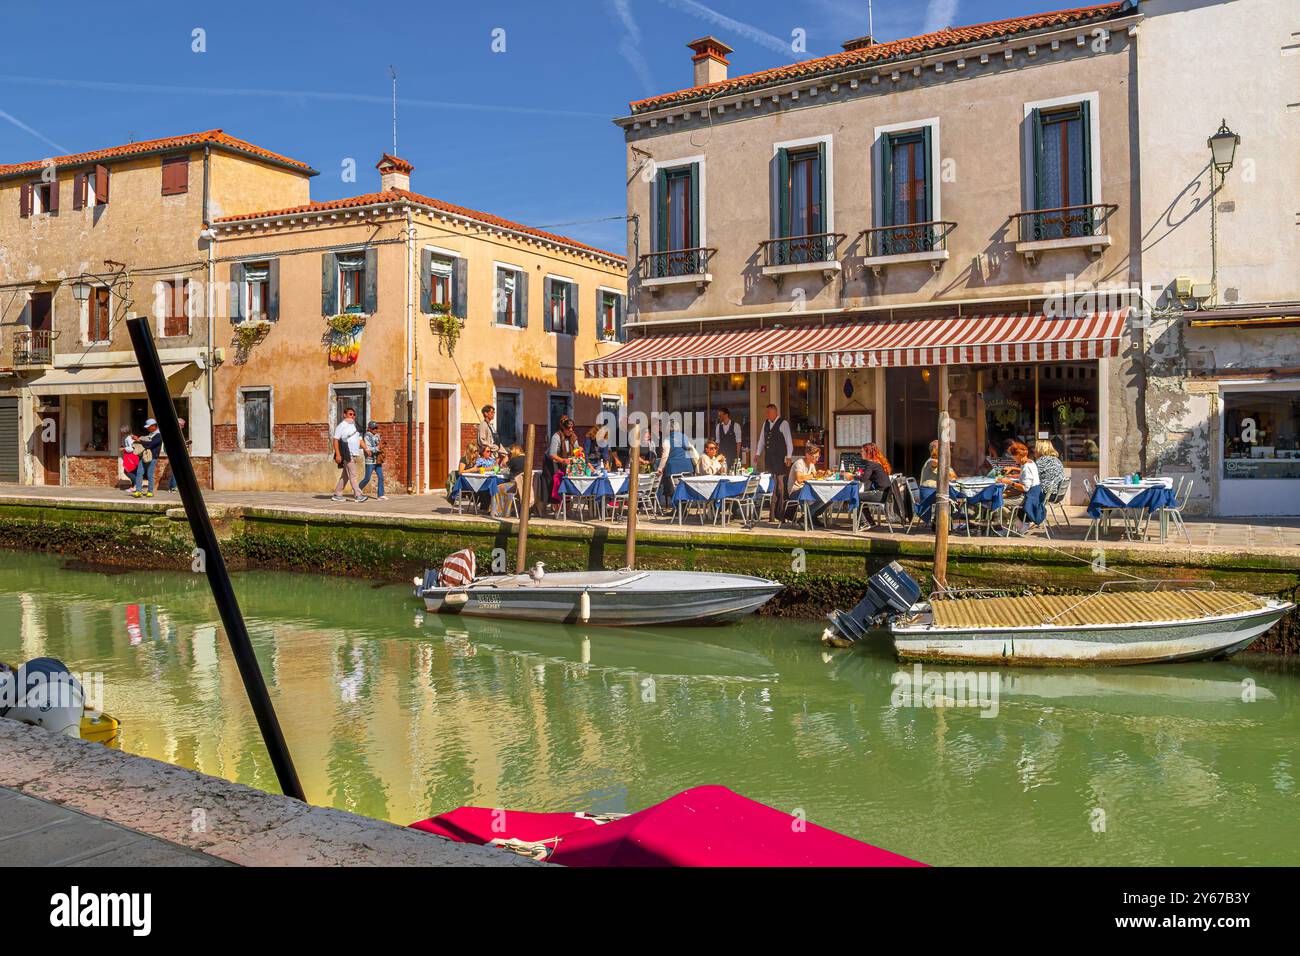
1219 534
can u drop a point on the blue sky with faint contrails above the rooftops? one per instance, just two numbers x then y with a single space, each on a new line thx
523 133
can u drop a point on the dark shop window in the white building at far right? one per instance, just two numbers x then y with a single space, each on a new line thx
1262 435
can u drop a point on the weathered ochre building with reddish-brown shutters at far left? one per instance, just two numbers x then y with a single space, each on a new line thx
89 240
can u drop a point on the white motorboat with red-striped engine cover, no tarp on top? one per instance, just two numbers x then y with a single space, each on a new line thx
617 599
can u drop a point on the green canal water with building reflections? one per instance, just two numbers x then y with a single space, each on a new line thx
398 715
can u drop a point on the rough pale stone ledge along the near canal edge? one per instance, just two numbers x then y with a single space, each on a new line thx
213 816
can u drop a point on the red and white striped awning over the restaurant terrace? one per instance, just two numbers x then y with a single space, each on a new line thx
941 341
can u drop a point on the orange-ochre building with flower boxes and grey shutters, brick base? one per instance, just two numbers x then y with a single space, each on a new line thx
415 313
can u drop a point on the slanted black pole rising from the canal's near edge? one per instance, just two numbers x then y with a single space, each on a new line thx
219 579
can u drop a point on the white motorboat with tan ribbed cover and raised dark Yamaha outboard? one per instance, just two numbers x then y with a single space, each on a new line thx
1137 622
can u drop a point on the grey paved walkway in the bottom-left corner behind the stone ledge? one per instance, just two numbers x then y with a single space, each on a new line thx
40 833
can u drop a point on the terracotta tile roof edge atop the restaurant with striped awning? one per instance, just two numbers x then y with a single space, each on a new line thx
948 37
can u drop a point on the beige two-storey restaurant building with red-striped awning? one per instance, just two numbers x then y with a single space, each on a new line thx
868 237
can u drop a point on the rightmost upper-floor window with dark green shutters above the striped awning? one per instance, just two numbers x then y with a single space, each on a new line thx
1063 174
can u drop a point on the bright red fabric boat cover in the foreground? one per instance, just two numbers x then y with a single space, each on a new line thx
704 827
